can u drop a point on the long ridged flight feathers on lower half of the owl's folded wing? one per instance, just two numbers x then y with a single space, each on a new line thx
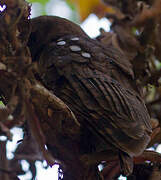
125 127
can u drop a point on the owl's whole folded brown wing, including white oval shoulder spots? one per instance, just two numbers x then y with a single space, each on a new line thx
80 78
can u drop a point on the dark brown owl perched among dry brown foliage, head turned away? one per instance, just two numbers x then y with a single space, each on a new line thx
96 82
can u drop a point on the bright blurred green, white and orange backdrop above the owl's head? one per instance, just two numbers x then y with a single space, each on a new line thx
80 12
